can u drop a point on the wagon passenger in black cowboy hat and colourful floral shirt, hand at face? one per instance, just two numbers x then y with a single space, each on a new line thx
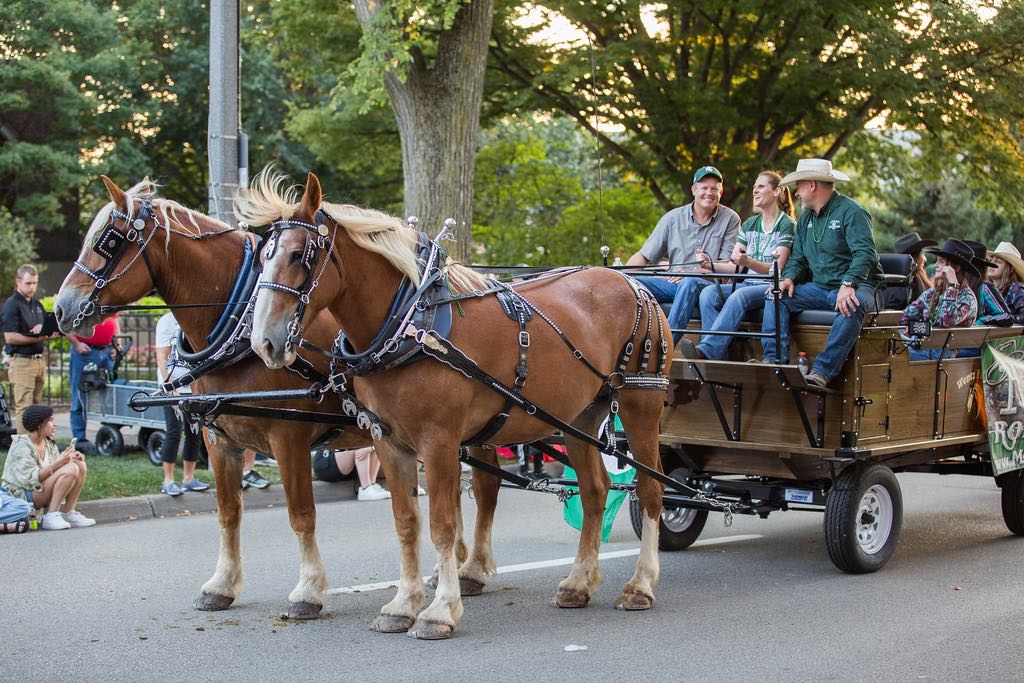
951 303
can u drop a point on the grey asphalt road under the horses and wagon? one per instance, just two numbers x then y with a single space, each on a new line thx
759 600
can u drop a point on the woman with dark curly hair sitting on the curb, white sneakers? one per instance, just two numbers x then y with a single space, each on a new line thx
37 473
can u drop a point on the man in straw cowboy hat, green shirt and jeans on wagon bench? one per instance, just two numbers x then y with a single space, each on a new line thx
834 266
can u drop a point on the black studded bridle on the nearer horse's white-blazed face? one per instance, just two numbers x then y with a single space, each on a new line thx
317 242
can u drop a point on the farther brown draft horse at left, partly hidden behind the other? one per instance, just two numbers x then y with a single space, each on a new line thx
195 260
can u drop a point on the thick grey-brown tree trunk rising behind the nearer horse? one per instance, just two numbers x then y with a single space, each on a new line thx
438 109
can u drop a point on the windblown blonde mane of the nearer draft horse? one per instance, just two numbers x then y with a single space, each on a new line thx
271 198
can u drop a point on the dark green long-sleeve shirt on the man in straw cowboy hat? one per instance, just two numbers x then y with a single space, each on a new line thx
835 246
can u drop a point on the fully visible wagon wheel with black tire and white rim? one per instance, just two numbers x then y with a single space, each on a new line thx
864 519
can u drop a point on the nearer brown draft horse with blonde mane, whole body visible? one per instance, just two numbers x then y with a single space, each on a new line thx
433 409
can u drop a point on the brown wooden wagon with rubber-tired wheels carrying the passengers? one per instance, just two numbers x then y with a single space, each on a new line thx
759 439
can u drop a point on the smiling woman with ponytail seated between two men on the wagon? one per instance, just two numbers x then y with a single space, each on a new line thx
765 236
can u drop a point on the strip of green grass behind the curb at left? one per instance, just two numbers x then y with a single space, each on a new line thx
133 475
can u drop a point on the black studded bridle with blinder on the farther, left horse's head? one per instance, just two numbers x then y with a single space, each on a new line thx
111 246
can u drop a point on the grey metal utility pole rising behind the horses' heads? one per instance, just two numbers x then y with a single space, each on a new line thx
228 145
